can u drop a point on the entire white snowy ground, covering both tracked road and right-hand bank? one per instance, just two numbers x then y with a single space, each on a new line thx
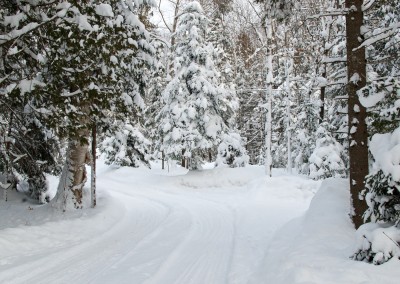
211 226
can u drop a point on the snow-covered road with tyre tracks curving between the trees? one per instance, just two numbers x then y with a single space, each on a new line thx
212 226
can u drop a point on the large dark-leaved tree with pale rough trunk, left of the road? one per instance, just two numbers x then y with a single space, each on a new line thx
105 75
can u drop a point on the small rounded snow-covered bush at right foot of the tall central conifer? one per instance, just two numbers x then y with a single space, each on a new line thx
232 152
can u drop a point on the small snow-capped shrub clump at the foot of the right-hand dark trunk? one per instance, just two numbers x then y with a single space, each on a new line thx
377 243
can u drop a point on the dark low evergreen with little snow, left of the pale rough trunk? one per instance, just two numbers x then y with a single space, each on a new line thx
28 151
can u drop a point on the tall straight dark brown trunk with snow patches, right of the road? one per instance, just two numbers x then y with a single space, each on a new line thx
356 74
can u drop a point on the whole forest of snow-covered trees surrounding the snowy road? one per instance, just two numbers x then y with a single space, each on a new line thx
311 86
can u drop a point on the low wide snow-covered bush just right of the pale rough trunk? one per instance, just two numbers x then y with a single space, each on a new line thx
127 146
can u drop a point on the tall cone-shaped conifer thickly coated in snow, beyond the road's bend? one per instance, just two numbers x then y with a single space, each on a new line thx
196 109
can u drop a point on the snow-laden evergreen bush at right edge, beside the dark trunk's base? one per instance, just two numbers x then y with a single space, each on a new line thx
377 243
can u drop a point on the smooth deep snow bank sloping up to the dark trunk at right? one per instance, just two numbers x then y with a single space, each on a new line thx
316 247
